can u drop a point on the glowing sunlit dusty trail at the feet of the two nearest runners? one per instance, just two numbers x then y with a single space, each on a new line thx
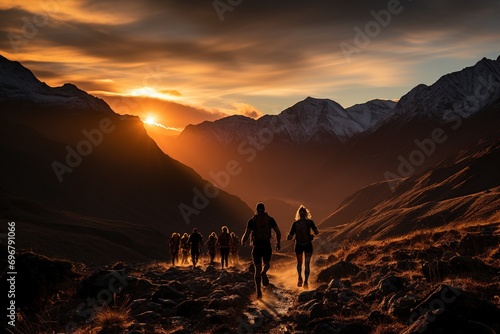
268 315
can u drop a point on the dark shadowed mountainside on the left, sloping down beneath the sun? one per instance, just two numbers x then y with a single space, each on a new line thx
80 180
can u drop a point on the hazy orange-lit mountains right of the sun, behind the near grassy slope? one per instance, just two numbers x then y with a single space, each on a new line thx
318 153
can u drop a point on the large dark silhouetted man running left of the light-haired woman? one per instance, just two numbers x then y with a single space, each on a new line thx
260 226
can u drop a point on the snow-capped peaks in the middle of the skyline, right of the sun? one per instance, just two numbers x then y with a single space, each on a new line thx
309 121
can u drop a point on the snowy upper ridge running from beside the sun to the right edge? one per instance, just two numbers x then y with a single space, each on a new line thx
459 94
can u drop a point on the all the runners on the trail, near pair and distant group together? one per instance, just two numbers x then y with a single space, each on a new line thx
259 229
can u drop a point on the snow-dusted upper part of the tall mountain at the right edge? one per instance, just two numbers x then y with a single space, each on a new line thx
458 94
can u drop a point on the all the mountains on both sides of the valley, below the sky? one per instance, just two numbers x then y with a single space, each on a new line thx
84 182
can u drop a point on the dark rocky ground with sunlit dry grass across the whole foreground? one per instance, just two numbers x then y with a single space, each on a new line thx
444 281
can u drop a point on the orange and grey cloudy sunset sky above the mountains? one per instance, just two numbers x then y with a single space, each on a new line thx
189 61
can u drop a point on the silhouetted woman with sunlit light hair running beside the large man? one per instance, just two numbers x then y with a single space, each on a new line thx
301 228
